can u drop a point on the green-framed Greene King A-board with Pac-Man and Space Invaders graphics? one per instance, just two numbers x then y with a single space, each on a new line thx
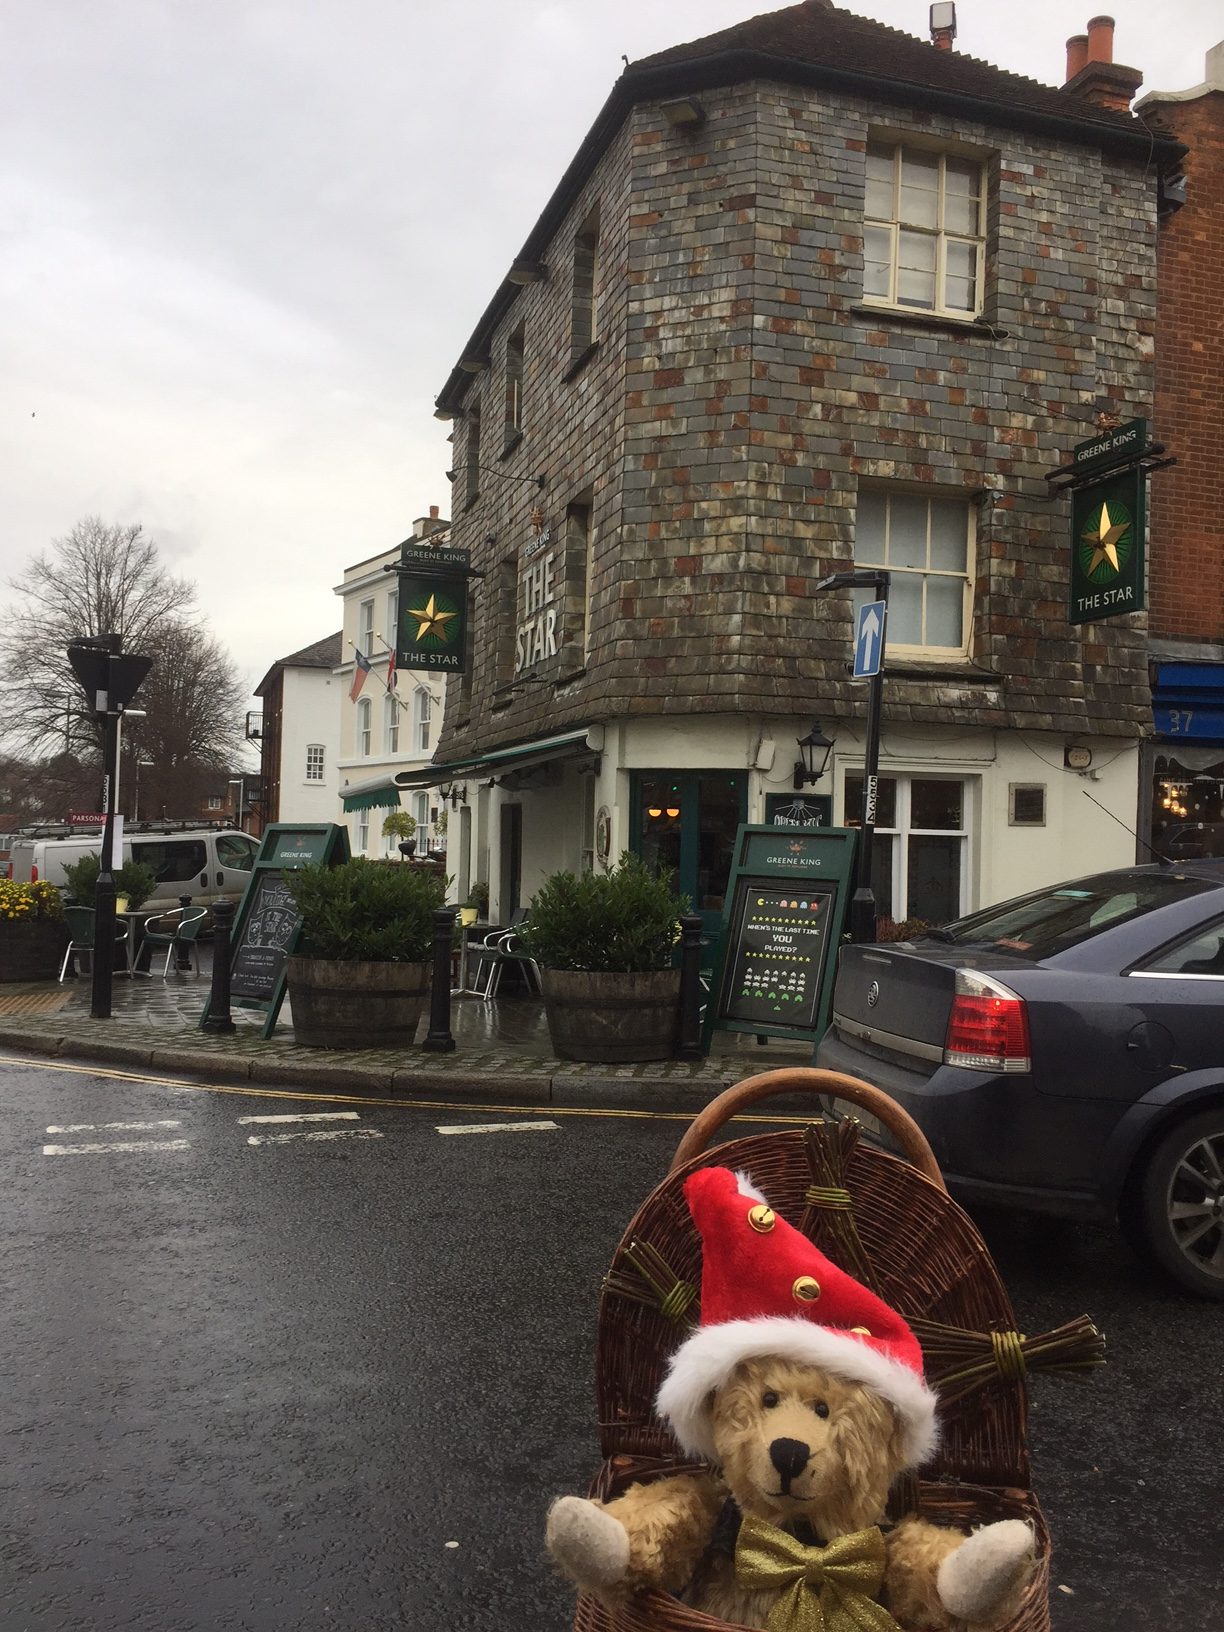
778 951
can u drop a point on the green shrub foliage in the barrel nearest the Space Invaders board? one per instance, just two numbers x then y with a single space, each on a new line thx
624 921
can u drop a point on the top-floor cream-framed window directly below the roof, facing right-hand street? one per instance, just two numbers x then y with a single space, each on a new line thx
923 231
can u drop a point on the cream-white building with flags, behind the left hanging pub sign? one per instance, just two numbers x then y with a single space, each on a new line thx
384 727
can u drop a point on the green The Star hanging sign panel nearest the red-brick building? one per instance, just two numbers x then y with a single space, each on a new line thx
1107 548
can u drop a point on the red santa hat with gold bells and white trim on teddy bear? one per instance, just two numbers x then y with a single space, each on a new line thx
768 1290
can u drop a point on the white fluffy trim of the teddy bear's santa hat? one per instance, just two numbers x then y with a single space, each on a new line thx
711 1355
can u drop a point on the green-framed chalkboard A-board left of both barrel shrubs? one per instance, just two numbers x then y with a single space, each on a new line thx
267 925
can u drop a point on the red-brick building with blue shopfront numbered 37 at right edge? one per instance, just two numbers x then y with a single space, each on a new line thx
1184 765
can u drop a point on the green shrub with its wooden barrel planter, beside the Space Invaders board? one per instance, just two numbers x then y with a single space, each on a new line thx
606 944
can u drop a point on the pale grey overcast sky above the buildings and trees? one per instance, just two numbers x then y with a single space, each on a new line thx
242 242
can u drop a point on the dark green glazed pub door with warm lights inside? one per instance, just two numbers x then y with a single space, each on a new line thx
688 823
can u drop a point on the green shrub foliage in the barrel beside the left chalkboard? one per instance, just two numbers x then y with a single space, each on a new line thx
366 913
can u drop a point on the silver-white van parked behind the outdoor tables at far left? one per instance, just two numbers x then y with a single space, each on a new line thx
198 863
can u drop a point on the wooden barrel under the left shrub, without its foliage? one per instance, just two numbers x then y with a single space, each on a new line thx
339 1004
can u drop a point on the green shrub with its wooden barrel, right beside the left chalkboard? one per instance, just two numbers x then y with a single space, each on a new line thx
361 975
